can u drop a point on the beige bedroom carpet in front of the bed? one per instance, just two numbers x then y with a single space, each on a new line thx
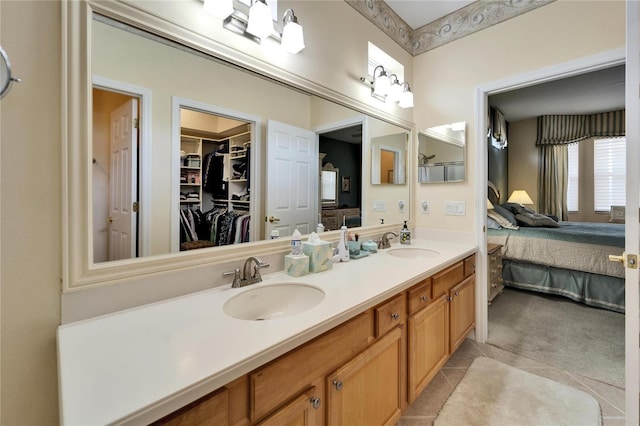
561 333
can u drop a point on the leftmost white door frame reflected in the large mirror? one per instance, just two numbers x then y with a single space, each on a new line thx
144 96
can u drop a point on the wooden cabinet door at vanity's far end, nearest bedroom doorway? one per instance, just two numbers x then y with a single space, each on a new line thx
462 311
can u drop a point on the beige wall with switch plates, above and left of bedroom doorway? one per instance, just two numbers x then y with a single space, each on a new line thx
446 78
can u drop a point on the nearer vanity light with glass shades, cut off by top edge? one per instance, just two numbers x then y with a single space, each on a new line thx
255 22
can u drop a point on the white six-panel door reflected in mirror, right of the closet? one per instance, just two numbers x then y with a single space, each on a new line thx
292 179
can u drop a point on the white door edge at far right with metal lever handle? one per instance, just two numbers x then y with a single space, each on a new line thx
632 234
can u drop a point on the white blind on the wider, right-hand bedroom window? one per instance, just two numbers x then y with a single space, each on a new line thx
609 173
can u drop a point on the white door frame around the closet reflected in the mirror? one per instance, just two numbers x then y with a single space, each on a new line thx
178 102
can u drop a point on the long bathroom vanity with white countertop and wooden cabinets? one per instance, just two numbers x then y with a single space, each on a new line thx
383 328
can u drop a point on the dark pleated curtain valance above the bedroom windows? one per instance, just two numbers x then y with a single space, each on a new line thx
566 129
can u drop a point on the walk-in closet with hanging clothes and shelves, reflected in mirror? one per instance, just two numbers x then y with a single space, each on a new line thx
215 190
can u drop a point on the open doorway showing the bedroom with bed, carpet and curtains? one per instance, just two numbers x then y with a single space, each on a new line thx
535 316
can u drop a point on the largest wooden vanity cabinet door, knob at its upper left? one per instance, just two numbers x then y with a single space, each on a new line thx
367 390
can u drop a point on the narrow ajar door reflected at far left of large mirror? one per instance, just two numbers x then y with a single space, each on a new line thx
123 191
